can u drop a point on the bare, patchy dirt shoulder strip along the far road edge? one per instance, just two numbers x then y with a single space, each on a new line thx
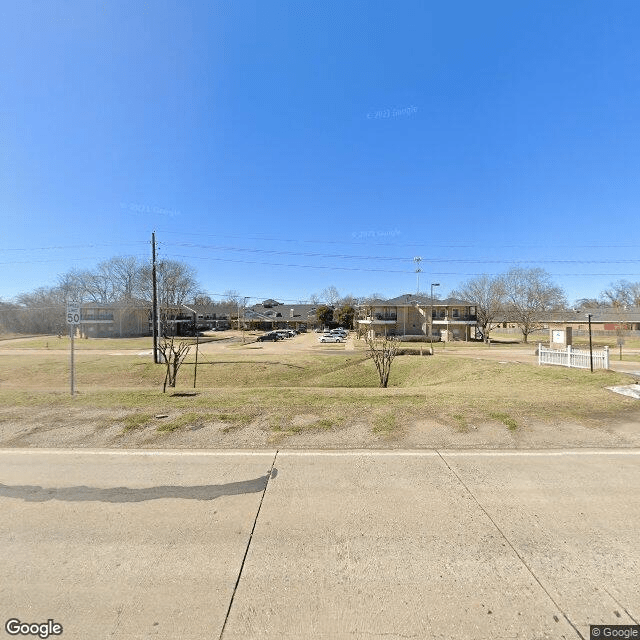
107 429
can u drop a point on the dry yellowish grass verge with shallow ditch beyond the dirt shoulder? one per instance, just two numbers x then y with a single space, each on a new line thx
237 389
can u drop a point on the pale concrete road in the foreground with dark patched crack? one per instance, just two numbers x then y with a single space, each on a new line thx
294 544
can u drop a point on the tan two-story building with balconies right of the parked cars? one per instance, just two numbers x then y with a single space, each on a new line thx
417 315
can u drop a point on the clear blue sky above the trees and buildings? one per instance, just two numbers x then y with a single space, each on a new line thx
283 147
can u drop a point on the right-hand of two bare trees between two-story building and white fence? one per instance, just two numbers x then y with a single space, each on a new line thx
529 294
